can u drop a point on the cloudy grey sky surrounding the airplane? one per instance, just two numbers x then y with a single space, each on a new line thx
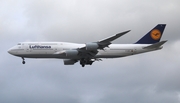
151 77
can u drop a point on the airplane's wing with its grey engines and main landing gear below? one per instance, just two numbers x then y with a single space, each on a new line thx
87 53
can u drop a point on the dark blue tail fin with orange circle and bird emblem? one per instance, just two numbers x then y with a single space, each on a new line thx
153 36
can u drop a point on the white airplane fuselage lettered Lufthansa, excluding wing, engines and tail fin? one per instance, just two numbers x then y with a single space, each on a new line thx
55 49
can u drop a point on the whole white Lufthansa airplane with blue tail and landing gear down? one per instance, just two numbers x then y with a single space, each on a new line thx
88 53
